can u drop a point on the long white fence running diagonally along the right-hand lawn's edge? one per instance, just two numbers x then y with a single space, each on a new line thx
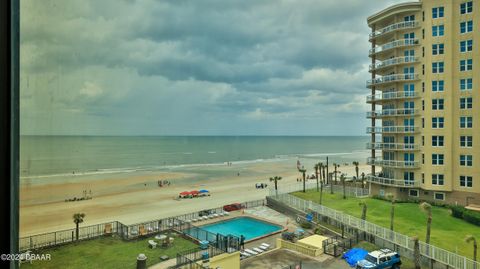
430 251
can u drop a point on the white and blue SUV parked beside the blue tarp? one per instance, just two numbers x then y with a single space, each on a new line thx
379 259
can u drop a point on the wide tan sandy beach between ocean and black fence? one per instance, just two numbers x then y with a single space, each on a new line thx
135 196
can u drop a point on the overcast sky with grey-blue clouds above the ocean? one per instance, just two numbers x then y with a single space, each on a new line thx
199 67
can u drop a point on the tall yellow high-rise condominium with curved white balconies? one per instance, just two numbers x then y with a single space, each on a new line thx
425 101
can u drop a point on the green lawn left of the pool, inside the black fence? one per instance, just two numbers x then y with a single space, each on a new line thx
107 252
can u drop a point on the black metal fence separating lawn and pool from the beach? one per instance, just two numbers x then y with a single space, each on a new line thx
126 232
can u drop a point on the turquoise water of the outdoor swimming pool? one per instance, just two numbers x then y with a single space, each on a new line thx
246 226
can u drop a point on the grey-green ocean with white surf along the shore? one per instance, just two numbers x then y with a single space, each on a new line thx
46 156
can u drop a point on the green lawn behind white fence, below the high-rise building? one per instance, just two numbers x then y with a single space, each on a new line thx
447 232
